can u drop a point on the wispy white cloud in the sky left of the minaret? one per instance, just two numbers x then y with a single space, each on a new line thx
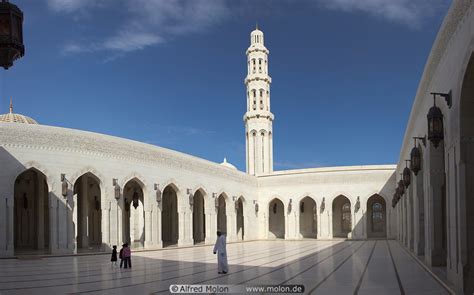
146 22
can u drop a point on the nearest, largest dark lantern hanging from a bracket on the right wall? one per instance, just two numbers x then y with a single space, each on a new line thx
435 119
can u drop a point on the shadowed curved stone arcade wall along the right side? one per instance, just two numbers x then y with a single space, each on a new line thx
435 217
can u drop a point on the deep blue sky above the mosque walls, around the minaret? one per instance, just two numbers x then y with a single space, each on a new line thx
171 72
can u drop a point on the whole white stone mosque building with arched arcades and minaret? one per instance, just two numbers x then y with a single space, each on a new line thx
64 191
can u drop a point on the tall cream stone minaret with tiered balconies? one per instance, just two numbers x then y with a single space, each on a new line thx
258 118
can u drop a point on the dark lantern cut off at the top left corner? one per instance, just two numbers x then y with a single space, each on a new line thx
11 34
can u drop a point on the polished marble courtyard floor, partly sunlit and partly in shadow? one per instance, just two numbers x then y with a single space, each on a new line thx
323 267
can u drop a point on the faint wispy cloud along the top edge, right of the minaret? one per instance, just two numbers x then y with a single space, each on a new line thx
408 12
